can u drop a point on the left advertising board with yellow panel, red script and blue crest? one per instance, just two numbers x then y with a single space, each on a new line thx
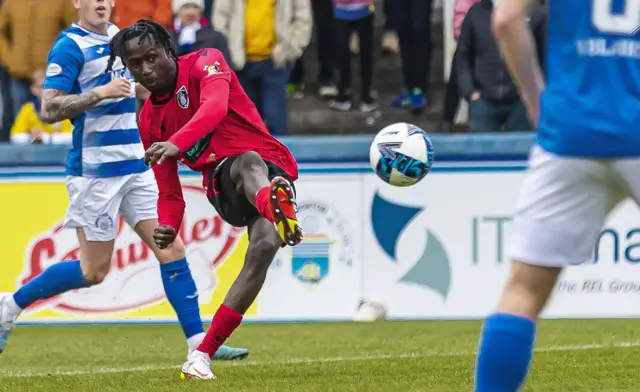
315 280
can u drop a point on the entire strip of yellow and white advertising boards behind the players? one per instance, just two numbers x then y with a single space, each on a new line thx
434 250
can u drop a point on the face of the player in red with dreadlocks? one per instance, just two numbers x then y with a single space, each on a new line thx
150 64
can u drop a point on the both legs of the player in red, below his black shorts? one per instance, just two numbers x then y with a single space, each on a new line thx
275 201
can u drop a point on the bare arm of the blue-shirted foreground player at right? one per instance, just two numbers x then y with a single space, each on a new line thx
519 50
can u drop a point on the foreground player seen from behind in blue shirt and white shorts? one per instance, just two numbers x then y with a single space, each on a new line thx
585 162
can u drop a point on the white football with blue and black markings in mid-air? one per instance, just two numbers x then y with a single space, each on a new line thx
401 154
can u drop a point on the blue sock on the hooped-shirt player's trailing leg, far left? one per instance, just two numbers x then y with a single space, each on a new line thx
57 279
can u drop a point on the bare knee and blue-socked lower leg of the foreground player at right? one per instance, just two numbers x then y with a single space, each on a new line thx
524 296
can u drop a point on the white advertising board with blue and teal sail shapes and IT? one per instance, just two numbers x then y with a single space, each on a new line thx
437 251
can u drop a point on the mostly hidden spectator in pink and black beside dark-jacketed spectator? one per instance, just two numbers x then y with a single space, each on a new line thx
452 93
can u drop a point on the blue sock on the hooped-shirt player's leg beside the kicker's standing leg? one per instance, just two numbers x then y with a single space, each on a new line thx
182 294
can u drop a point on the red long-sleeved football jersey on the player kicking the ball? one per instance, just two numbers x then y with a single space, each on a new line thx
209 117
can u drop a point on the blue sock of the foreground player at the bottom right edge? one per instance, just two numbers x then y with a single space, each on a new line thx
506 348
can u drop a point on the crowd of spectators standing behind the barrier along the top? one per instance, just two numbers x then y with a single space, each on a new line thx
265 42
